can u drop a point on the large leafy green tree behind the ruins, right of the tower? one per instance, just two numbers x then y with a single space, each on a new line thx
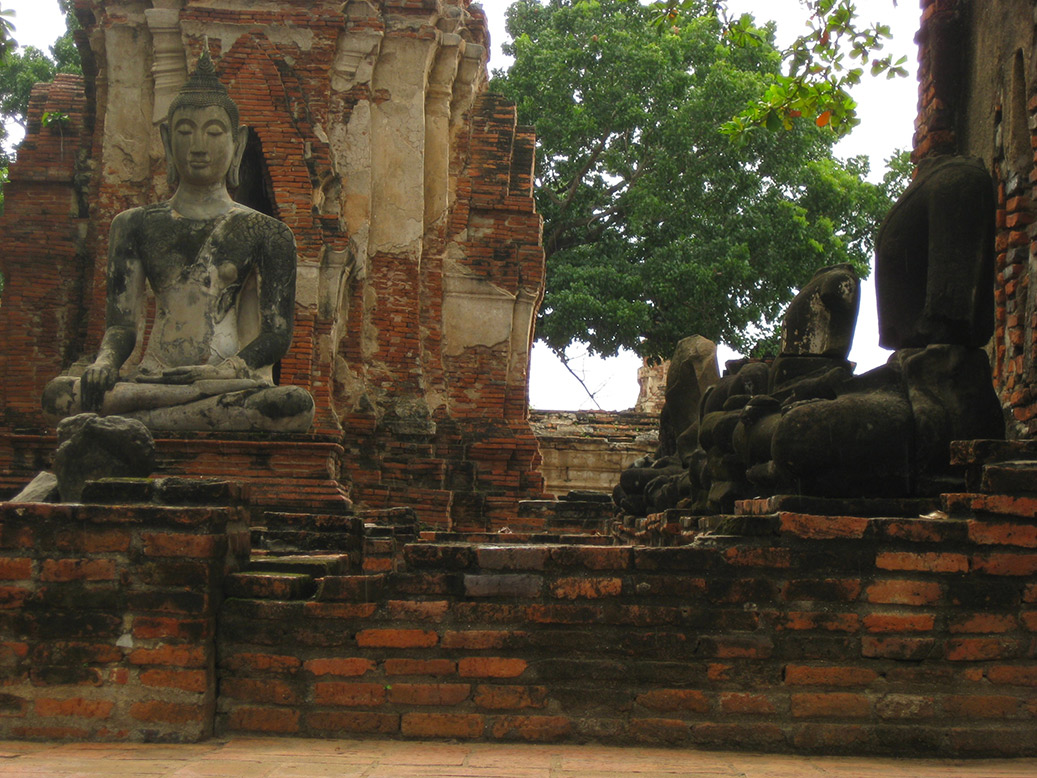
657 226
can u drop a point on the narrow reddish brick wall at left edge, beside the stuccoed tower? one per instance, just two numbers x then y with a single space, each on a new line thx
46 276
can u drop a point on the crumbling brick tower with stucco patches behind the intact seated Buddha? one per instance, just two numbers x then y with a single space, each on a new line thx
410 193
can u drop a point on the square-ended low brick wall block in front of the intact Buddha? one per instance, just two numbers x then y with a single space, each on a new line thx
108 618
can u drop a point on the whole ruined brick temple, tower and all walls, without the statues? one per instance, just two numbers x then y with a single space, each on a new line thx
400 571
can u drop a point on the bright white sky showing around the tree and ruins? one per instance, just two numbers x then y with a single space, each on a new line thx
887 110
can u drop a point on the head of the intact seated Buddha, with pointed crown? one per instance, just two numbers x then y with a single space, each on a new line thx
202 134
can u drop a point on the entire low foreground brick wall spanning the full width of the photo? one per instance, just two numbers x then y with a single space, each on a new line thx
780 632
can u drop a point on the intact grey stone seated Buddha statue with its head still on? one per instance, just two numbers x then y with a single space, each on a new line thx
225 284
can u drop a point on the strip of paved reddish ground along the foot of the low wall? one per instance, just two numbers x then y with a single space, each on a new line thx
251 758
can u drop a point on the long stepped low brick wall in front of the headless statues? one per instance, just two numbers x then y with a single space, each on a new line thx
819 634
